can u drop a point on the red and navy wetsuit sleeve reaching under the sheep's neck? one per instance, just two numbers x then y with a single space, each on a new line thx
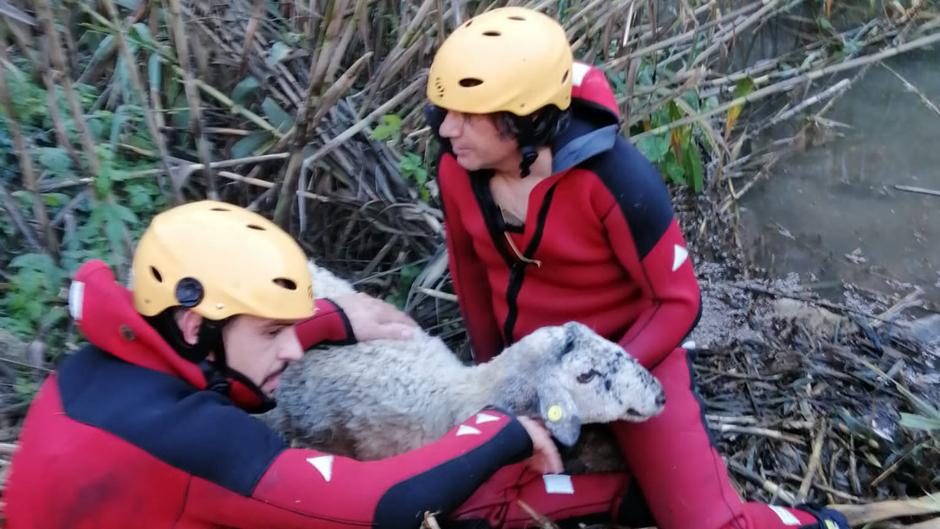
305 488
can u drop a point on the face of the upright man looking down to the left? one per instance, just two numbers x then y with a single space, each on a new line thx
477 142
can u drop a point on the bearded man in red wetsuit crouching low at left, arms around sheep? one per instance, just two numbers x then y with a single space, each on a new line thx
147 426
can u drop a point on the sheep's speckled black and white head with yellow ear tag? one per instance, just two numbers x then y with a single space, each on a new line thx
593 380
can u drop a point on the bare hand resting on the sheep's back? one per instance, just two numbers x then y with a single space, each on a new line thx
373 319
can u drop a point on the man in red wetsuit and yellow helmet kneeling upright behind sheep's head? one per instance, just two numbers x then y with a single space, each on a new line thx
551 217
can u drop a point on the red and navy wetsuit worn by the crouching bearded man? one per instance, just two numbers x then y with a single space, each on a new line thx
125 434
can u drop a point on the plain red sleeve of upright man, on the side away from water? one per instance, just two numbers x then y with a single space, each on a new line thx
468 272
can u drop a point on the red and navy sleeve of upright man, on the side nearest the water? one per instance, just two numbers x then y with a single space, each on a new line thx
646 238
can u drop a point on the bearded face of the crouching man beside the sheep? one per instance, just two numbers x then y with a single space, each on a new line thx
260 349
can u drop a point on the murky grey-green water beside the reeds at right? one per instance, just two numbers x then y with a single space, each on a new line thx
831 213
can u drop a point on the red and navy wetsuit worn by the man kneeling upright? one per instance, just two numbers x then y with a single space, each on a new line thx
600 245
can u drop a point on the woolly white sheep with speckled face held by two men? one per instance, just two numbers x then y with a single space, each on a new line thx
380 398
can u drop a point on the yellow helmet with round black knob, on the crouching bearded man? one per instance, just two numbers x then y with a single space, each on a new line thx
220 260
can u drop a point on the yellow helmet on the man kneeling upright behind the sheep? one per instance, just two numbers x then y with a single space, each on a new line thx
509 59
